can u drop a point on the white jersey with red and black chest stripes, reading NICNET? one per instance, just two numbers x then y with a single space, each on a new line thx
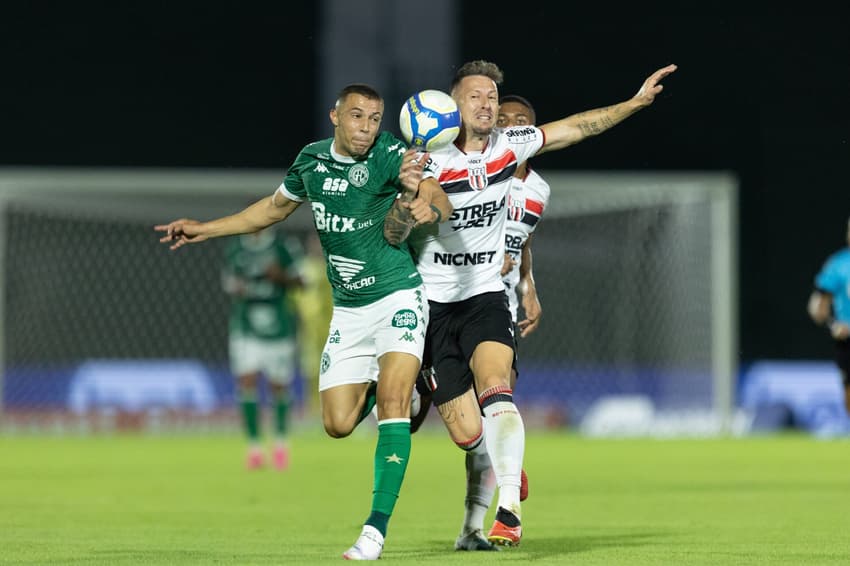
463 257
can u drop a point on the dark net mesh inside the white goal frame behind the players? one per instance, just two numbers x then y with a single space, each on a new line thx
623 270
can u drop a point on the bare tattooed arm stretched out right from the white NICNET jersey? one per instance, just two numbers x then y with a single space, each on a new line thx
575 128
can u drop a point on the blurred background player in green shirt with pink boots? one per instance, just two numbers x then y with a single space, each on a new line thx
259 272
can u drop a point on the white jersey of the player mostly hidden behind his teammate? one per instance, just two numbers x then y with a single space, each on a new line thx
527 200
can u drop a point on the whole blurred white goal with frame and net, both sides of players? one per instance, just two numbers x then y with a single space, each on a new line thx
636 274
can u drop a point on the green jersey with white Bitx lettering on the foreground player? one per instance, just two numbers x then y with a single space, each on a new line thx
350 200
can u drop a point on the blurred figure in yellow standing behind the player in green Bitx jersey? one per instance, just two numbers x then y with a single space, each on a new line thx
314 304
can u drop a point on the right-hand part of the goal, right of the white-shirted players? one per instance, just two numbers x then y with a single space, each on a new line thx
637 275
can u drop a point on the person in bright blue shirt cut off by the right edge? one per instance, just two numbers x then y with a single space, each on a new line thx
829 305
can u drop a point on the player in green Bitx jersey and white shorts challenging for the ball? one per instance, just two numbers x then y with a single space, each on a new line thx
377 333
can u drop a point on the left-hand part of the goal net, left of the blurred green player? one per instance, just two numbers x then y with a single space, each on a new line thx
103 325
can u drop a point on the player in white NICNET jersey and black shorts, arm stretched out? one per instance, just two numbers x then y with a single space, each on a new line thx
470 332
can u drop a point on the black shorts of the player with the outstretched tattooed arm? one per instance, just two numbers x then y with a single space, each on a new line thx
455 330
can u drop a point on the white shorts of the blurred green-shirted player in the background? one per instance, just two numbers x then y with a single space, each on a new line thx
276 359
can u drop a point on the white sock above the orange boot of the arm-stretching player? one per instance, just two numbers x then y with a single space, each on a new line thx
505 439
